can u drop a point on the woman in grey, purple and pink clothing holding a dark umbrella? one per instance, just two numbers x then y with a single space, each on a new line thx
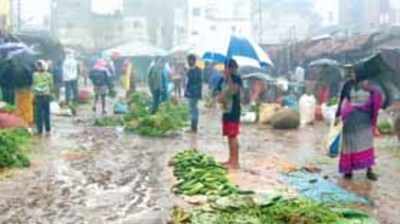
358 110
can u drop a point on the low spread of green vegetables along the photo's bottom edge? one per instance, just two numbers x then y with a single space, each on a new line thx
276 210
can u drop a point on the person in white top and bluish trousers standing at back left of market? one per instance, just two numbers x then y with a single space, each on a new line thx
70 70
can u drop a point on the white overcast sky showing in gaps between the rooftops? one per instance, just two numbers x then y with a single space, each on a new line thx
35 10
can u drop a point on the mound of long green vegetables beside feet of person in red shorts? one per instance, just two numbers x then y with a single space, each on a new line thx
199 174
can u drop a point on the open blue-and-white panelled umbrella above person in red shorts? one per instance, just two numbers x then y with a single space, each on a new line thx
244 50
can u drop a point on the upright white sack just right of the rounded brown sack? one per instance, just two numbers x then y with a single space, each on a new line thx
307 105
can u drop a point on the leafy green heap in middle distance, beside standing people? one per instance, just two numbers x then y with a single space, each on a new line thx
170 117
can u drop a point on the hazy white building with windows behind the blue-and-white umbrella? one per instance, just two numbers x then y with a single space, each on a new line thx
205 19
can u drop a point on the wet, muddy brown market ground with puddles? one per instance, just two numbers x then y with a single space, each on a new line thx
83 174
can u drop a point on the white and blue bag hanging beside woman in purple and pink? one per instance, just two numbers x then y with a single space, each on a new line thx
334 139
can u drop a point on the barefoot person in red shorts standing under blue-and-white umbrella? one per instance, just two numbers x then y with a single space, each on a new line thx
229 97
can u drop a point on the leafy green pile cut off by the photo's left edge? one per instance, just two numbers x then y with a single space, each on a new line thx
12 142
